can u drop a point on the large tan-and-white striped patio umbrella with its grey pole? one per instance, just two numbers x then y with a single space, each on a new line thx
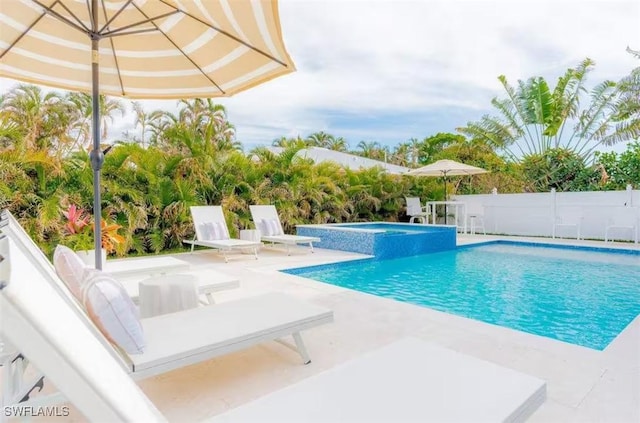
153 49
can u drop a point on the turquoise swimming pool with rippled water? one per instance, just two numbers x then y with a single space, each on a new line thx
583 296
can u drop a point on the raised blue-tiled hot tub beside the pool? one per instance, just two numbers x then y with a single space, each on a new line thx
383 240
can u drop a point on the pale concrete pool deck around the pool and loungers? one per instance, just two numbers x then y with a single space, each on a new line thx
583 385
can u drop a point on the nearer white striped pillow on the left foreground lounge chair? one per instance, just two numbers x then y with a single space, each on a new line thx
112 311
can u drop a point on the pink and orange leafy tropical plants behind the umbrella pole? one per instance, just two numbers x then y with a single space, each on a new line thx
78 237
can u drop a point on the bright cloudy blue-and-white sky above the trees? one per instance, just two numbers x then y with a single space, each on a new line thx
387 71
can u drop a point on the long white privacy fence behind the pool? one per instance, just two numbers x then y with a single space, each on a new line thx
538 214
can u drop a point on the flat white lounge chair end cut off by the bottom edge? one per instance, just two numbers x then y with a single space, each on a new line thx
409 380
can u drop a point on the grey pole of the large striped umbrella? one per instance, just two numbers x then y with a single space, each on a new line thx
96 156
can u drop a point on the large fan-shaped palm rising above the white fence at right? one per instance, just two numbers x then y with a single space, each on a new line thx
534 117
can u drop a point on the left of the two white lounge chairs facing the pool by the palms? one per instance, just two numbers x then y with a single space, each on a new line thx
211 231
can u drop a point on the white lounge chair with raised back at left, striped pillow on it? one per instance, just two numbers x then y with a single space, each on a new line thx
172 340
